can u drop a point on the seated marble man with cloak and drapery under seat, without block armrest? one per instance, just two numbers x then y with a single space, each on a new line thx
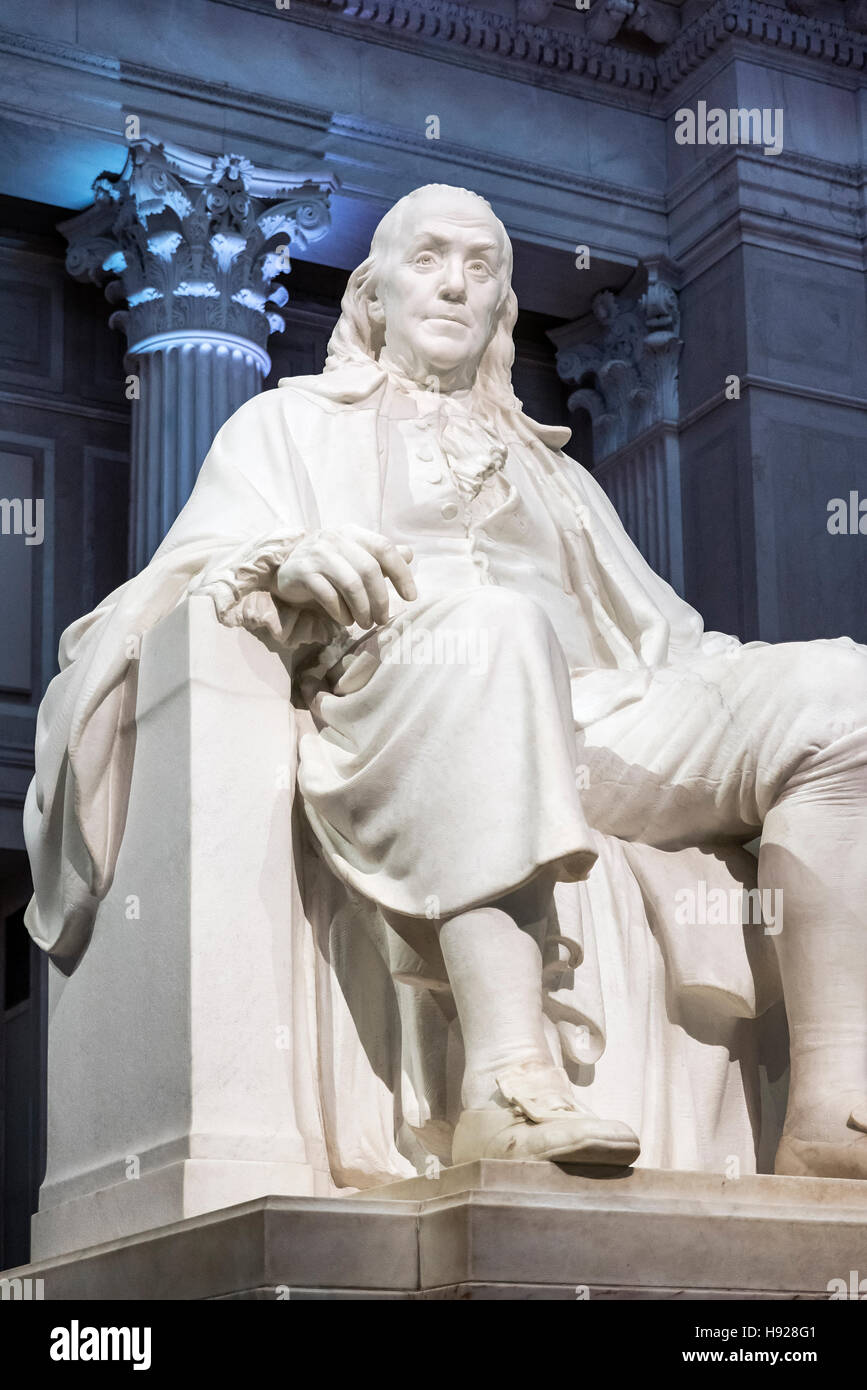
518 749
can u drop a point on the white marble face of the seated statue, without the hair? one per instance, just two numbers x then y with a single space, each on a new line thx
441 288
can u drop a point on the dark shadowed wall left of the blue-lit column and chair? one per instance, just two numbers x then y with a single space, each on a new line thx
65 430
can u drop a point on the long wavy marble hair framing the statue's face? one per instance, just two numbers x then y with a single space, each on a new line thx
358 340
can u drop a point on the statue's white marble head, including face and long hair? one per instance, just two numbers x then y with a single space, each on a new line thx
437 293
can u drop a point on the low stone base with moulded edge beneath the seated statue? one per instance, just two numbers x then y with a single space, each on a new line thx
497 1231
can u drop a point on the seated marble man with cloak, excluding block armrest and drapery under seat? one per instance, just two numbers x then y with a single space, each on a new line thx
466 623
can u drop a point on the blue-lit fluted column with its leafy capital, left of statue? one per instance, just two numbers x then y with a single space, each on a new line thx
190 247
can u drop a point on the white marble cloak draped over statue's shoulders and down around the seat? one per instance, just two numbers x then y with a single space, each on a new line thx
654 1022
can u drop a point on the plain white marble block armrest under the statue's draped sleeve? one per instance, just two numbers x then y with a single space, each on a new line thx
170 1068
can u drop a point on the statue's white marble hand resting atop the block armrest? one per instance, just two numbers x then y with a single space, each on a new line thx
344 573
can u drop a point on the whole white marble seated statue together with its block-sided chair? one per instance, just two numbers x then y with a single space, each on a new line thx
440 844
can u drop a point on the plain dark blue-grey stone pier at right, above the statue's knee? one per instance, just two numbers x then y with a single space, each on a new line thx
759 472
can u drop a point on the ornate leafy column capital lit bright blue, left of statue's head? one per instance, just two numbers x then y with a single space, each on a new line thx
195 243
